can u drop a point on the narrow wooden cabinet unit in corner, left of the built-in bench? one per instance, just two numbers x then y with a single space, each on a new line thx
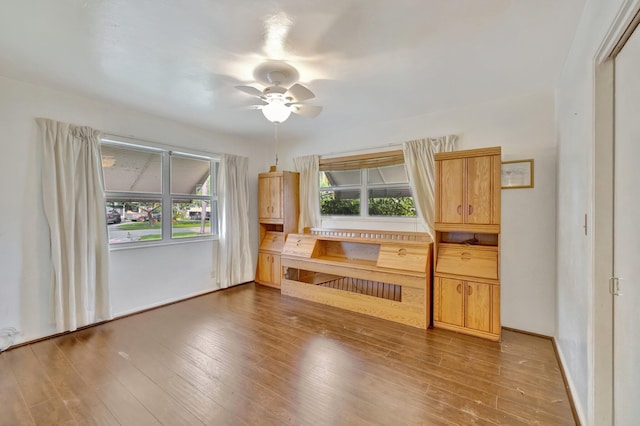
278 211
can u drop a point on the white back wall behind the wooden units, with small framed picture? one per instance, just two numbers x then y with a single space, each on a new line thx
525 128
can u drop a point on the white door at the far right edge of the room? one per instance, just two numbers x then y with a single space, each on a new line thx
626 317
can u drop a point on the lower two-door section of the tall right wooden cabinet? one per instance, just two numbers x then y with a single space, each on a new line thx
468 306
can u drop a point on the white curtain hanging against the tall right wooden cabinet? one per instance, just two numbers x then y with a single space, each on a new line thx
419 161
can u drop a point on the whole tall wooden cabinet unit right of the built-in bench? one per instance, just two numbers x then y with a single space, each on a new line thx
466 284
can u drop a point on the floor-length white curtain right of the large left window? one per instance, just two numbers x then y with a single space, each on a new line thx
235 265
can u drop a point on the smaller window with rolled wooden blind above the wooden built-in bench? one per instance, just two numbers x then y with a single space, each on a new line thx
366 185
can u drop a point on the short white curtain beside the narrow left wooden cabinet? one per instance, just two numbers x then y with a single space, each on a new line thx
308 166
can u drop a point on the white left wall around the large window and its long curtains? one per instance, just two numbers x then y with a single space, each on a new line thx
140 278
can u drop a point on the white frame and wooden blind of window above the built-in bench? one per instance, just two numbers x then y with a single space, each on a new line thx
363 163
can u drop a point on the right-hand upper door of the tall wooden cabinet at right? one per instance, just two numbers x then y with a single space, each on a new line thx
479 190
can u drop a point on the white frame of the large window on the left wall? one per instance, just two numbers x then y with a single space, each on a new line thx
165 196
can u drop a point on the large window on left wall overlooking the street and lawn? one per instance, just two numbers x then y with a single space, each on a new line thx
157 195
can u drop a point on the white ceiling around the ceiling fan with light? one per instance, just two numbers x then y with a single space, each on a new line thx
366 60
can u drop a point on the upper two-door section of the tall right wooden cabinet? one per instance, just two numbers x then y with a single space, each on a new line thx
468 189
